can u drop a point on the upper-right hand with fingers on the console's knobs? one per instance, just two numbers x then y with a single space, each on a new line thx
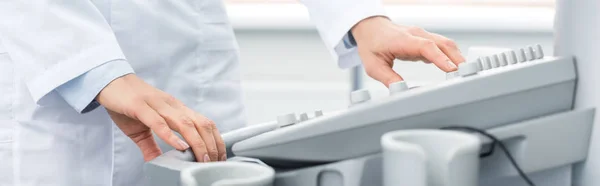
380 42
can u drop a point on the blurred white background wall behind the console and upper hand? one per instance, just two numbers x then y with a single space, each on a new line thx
286 67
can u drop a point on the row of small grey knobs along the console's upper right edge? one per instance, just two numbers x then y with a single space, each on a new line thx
498 60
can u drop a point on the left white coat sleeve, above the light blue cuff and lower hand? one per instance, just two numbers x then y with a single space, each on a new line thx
55 41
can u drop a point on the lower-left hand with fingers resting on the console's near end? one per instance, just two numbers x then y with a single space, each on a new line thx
138 109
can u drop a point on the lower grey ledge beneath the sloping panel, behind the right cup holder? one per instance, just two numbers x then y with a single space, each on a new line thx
562 139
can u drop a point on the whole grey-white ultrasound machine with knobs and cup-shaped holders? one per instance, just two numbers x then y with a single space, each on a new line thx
505 117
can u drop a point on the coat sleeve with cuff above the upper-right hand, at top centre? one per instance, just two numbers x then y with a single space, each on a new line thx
335 18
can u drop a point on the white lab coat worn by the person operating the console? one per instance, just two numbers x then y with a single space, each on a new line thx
184 47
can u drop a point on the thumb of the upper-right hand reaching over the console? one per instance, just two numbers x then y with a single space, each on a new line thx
381 70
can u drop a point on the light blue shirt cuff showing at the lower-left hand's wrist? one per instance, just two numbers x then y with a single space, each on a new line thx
81 92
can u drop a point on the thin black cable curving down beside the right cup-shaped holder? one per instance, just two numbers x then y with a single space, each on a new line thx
495 142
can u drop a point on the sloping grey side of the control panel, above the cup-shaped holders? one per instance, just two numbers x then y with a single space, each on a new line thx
507 94
